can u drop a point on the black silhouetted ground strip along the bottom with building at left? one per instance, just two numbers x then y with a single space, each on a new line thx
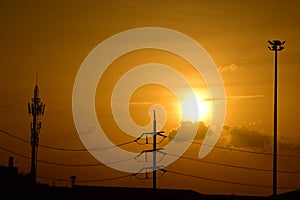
14 185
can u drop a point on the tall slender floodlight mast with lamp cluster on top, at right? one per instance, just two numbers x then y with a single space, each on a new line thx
276 46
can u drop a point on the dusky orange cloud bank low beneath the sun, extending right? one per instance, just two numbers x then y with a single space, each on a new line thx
241 137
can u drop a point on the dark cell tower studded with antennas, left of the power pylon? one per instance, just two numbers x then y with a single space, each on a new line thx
36 108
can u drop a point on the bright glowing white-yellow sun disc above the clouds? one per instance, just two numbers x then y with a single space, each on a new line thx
204 109
